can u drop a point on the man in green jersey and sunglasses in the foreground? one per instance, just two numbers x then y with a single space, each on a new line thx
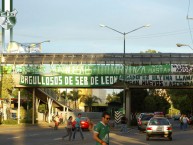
101 130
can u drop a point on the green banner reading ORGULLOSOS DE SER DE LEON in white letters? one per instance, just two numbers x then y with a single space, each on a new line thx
68 80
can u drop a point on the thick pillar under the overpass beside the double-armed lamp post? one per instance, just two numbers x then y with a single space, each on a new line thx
128 105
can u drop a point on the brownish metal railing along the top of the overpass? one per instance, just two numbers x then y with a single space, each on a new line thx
97 58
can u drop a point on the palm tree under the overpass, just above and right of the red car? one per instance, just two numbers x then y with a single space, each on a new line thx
89 100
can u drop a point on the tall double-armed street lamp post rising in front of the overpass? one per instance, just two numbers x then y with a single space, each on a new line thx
124 70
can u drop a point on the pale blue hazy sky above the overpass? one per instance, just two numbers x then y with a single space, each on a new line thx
72 26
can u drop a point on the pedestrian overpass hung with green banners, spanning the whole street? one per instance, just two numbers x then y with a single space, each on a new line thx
99 70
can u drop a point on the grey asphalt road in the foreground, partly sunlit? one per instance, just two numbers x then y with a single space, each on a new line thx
31 135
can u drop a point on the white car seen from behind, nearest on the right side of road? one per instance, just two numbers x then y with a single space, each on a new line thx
159 127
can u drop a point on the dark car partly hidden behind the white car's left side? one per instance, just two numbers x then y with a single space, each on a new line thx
142 122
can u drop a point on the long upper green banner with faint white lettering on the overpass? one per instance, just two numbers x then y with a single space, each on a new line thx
110 69
